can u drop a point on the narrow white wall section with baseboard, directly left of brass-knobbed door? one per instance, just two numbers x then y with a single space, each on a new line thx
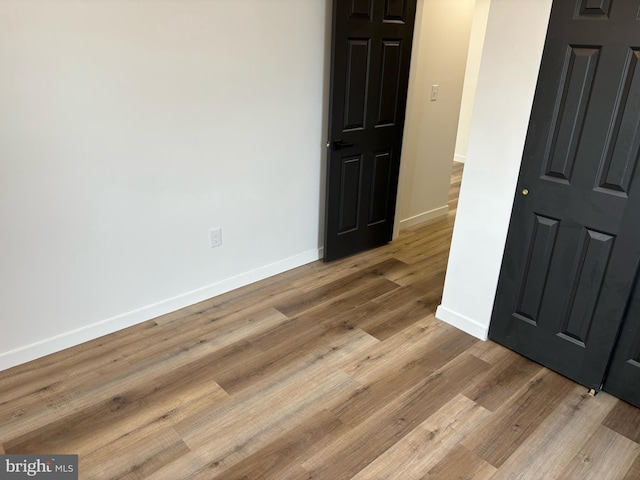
508 73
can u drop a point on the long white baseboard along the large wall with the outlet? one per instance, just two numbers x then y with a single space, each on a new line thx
90 332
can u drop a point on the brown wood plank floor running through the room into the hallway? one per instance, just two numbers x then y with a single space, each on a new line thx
329 372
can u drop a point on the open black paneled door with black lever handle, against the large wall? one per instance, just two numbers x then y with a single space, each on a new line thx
371 53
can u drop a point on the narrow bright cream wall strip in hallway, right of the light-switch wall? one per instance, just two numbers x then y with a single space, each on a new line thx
478 31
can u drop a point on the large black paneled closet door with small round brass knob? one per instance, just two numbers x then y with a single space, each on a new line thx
574 239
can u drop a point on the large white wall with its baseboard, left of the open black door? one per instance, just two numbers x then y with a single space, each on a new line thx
127 130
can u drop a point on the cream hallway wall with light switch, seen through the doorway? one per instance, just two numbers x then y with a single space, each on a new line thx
439 58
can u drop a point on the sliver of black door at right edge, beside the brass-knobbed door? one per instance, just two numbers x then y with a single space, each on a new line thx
623 378
